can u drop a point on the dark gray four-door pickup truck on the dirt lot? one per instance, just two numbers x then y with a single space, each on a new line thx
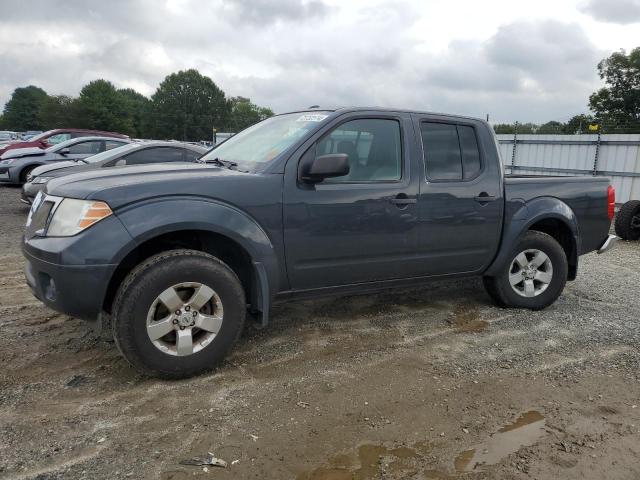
305 203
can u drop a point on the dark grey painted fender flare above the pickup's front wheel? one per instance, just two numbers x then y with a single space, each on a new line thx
161 215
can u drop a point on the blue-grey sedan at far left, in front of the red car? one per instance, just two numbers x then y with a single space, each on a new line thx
17 164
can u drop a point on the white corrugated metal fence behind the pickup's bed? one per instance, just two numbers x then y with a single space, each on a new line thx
612 155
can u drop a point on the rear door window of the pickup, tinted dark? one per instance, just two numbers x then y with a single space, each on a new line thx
450 151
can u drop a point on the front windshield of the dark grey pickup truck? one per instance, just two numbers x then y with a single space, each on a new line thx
258 145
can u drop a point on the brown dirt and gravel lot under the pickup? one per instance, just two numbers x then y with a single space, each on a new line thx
429 383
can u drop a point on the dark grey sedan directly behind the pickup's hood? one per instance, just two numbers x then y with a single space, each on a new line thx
129 154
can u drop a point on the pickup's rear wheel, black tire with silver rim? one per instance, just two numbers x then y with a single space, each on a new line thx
535 281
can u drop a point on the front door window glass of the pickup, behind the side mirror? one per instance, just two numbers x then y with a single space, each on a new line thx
373 146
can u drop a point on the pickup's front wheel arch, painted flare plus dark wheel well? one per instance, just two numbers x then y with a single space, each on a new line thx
218 229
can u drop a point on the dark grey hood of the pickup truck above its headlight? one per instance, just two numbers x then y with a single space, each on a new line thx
122 185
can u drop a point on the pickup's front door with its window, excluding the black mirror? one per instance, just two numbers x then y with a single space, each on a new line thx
360 227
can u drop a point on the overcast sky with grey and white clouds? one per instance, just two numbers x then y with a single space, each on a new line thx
514 59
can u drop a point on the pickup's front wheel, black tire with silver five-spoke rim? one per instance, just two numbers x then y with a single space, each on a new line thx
139 295
